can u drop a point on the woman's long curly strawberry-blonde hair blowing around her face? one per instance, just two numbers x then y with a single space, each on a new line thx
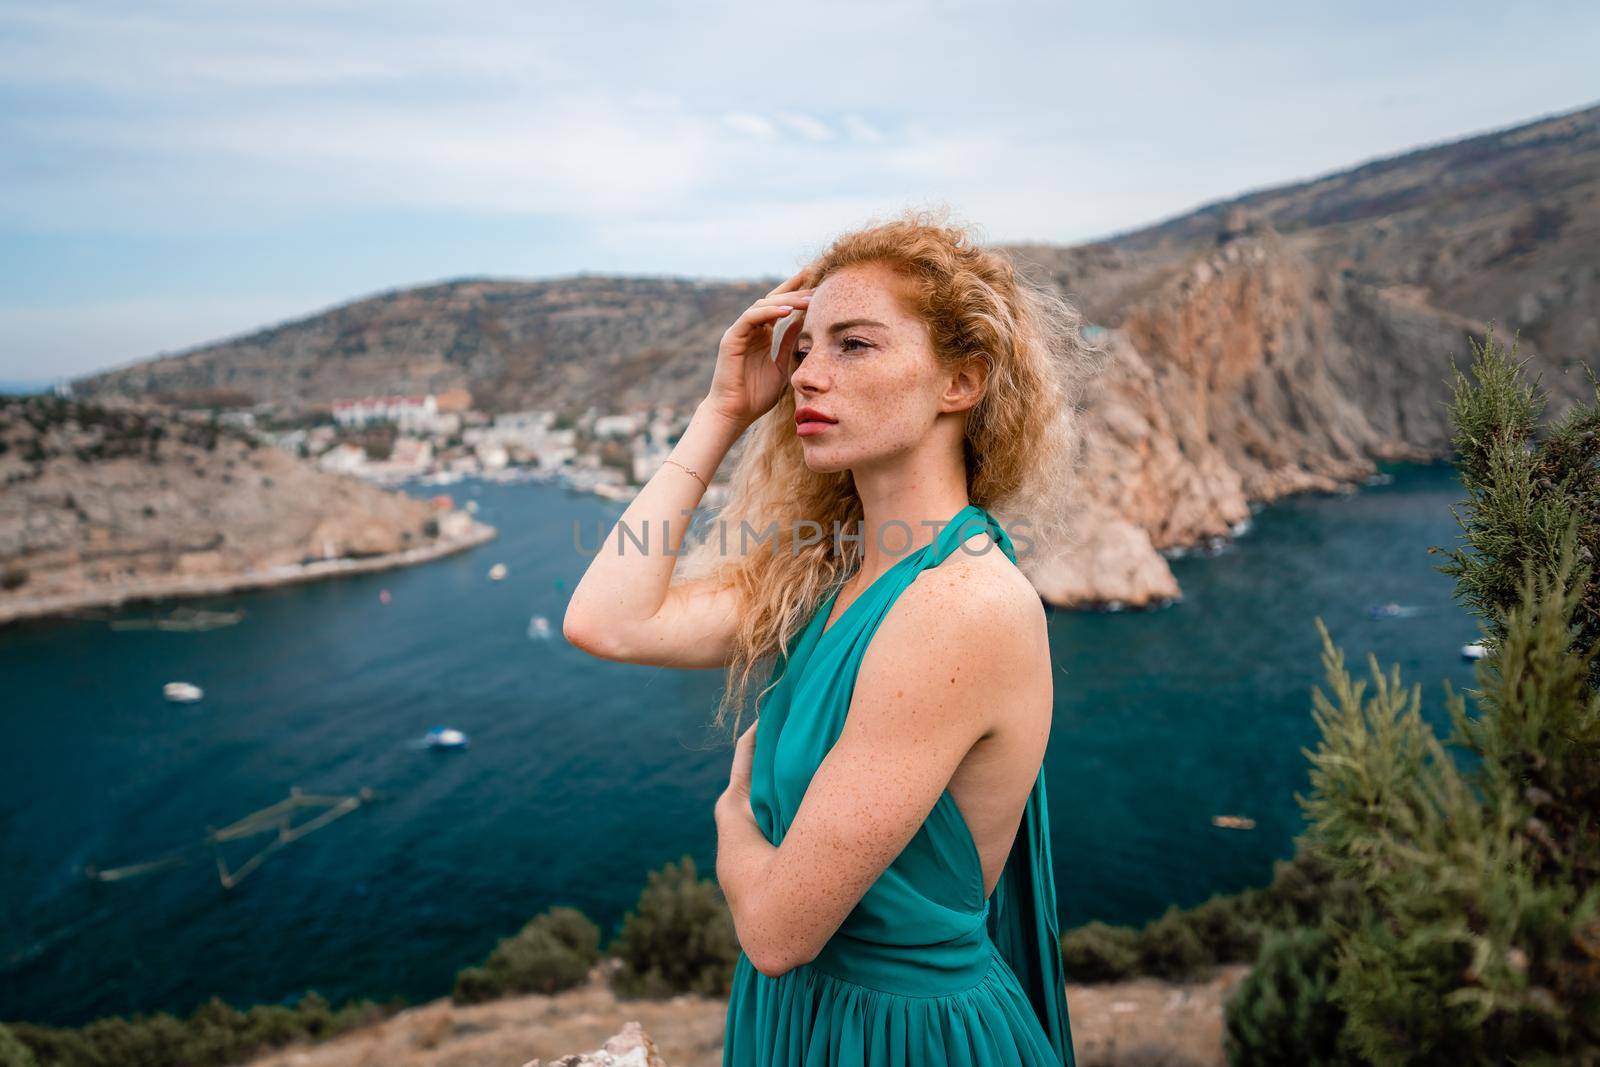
1020 439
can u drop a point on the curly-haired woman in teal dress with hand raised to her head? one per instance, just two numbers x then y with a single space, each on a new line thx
884 837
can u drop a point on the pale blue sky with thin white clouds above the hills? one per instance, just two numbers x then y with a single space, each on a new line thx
180 174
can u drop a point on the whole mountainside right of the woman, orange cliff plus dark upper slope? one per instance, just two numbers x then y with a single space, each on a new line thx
1286 340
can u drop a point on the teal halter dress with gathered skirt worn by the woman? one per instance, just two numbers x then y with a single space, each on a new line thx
924 972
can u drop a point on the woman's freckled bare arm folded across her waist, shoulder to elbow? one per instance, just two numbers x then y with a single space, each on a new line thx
943 669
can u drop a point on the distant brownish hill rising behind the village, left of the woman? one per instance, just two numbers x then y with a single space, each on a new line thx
567 345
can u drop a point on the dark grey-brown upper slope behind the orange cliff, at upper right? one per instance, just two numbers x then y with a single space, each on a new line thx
1500 226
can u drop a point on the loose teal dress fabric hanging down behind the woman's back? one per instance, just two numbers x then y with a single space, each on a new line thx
1025 927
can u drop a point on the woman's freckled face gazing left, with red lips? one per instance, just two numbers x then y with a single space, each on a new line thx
879 378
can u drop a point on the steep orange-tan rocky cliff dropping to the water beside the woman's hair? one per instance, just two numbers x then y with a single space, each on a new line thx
1241 377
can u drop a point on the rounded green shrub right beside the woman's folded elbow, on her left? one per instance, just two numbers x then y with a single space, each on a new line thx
678 940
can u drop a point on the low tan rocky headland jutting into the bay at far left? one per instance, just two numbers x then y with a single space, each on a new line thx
102 503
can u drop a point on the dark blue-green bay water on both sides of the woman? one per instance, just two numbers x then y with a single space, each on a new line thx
585 775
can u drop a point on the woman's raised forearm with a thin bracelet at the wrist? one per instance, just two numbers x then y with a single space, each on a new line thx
628 578
